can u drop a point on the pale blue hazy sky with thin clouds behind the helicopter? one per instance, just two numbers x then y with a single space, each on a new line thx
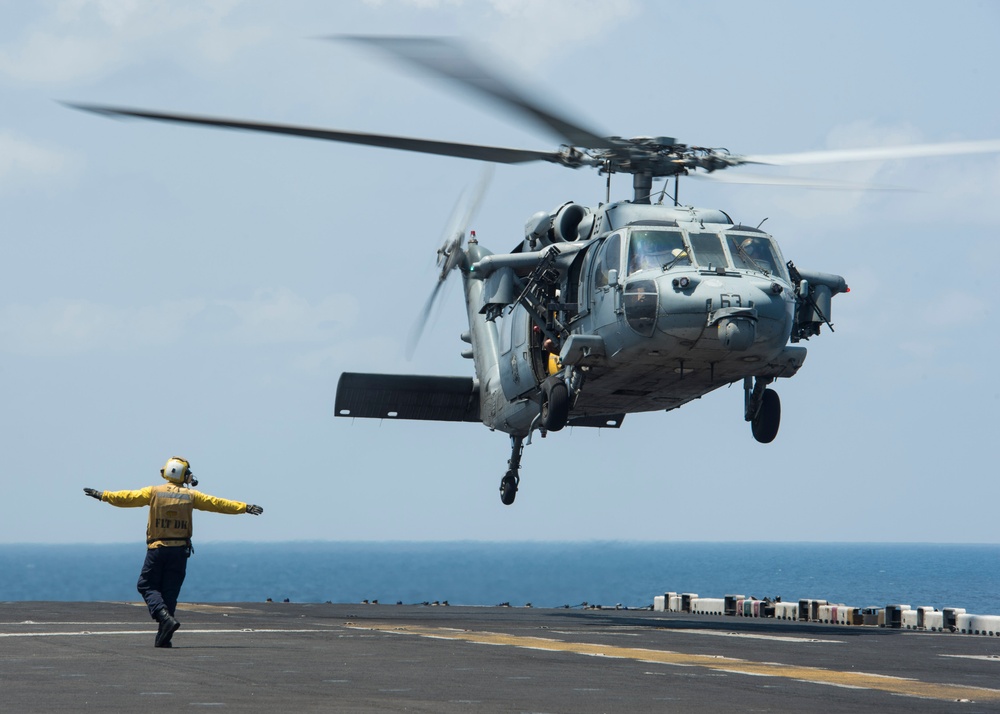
184 291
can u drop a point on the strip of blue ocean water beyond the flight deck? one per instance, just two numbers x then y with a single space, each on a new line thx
543 574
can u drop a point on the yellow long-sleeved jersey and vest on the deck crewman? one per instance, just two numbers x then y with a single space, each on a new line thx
170 509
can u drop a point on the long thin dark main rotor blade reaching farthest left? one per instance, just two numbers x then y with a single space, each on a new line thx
478 152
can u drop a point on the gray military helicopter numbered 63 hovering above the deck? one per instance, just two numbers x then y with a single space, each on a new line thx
599 311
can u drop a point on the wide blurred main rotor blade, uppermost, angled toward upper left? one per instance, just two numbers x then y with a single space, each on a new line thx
450 60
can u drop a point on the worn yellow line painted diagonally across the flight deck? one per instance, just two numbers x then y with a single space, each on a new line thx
817 675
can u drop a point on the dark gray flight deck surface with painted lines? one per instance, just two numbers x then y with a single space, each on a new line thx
62 656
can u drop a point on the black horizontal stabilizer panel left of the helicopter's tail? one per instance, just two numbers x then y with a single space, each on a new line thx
404 396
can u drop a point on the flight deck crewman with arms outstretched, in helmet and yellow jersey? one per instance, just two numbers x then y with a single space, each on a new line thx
168 536
